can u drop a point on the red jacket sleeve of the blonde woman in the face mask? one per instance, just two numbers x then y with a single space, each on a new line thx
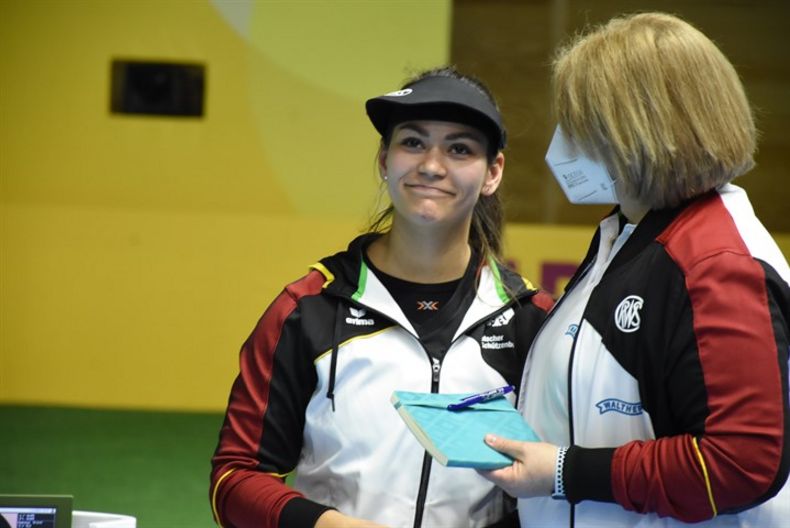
736 456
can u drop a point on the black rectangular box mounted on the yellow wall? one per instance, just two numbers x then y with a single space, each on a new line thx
157 88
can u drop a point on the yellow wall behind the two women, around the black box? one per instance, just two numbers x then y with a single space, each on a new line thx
137 253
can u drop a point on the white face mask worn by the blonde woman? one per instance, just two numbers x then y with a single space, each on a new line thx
583 180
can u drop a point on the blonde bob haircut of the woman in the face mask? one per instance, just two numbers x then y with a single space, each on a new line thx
657 102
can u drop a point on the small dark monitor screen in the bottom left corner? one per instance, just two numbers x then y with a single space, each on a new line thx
35 511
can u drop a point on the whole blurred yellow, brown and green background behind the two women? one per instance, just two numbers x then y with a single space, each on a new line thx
166 167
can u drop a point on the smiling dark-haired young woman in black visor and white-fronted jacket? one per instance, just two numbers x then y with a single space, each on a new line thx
420 303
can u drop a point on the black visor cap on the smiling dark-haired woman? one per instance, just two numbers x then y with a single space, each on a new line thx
440 99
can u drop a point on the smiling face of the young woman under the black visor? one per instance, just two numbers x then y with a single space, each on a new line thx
436 171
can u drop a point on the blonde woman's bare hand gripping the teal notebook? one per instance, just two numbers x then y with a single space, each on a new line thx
532 471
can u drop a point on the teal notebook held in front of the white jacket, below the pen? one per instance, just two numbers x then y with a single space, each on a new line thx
455 438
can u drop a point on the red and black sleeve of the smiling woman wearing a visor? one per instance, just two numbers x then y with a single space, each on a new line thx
250 462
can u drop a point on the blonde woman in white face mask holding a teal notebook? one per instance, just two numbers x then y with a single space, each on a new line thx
659 383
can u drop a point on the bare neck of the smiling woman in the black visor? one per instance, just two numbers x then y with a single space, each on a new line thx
417 254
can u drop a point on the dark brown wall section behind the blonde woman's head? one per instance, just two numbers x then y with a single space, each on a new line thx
510 43
